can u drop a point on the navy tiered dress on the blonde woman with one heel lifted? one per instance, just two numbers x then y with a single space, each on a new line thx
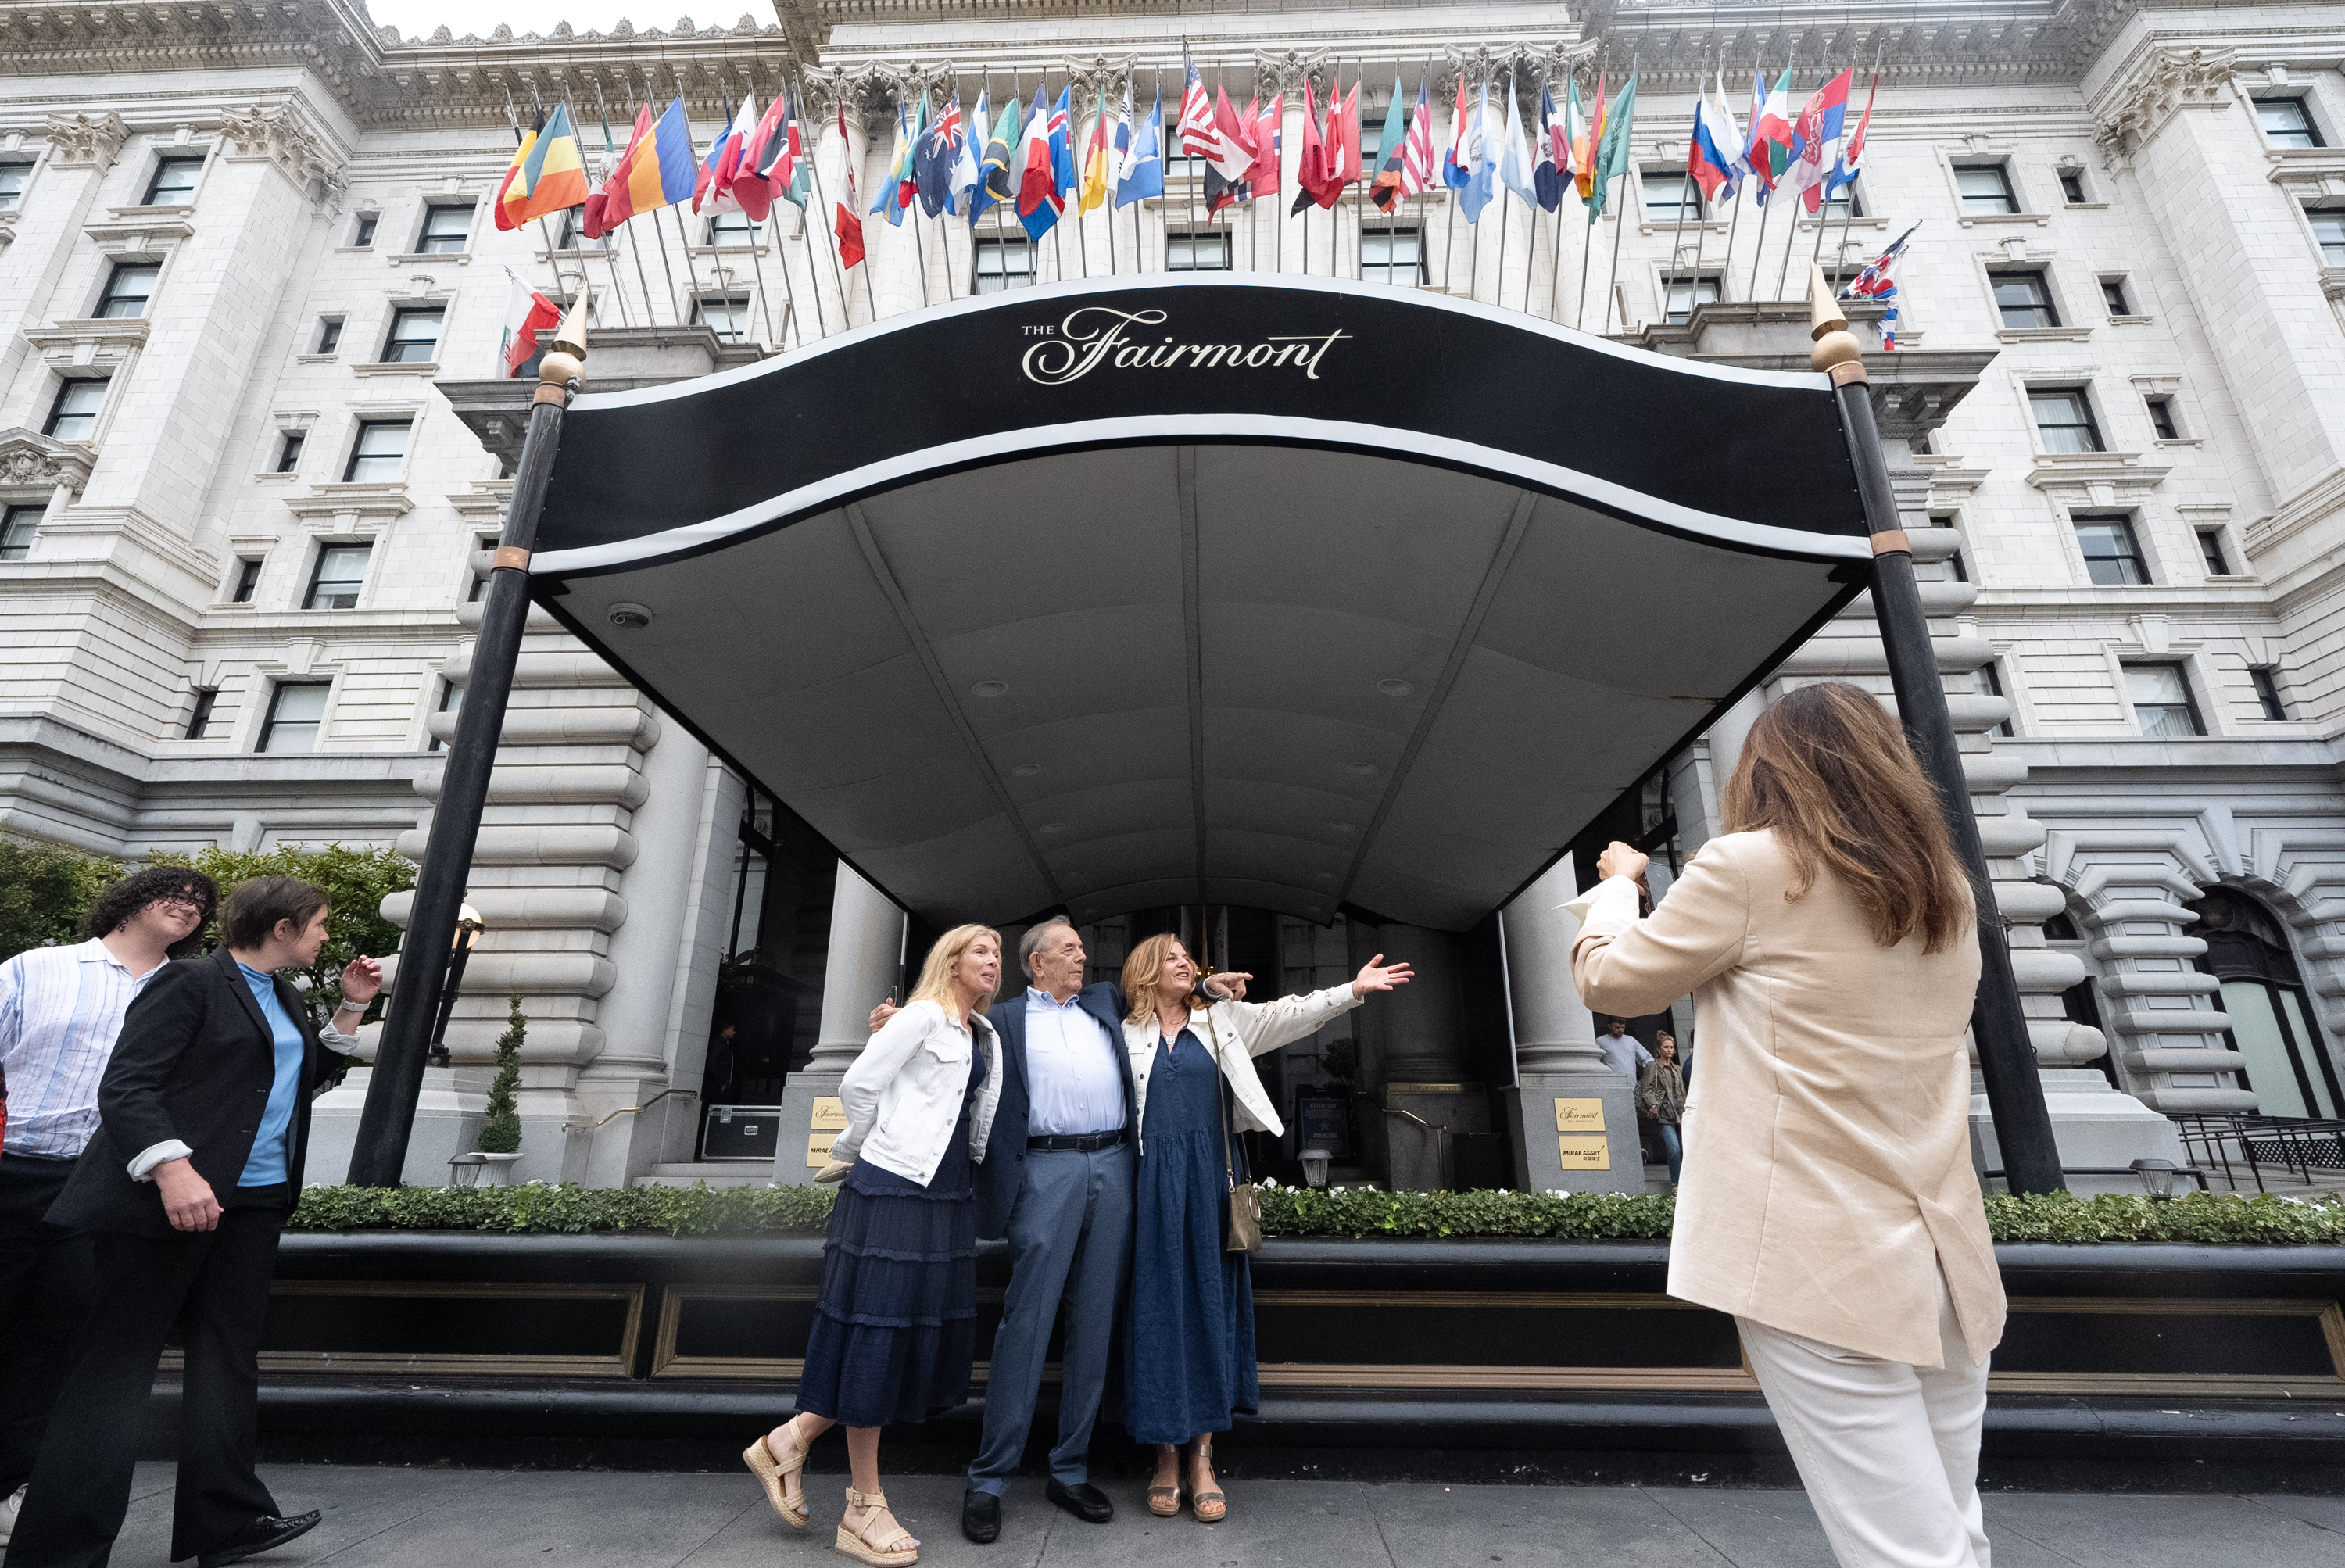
897 1316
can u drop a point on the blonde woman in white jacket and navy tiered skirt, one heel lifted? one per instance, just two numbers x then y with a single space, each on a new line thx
897 1316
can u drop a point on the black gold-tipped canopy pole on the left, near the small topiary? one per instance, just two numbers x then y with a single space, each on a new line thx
388 1122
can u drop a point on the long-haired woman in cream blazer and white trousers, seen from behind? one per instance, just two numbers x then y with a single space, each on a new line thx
1828 1197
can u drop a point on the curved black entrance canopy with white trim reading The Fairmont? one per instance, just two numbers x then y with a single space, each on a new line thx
1242 587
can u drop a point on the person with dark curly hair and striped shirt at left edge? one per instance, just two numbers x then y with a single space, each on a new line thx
60 1016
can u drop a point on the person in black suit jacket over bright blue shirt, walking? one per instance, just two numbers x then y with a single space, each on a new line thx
198 1159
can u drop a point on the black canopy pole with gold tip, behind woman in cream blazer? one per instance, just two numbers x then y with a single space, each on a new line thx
1999 1025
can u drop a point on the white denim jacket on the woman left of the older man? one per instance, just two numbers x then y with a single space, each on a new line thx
904 1093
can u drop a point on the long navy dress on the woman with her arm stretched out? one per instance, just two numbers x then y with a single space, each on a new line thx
1190 1354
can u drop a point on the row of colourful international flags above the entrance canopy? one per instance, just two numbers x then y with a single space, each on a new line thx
1024 158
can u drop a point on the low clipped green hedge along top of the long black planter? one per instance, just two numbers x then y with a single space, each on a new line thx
1359 1211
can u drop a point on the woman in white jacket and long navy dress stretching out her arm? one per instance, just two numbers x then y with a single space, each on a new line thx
1190 1347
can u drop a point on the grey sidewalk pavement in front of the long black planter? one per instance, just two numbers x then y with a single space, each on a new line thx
388 1518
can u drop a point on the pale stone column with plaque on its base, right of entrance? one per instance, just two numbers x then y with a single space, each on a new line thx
1565 1098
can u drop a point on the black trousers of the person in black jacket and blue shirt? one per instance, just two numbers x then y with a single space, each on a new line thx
215 1286
